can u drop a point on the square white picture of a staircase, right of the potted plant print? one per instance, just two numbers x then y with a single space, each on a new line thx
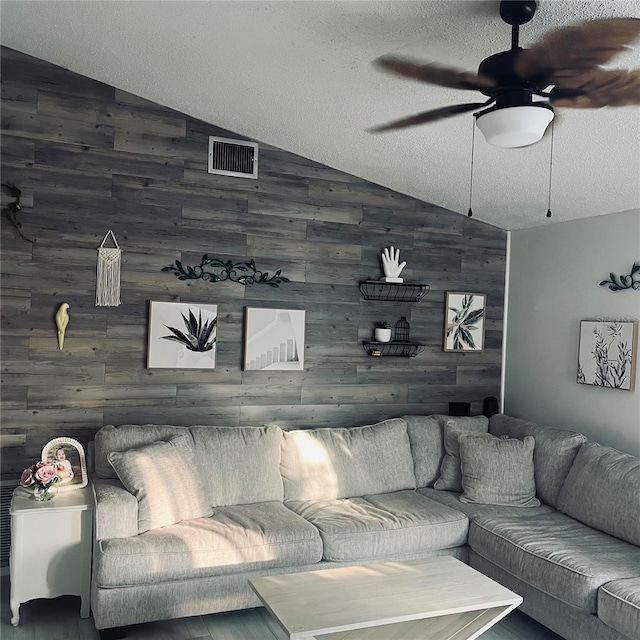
274 339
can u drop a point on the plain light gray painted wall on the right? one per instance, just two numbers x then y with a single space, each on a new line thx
554 276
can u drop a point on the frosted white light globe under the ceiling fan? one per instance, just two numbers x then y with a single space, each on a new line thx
513 127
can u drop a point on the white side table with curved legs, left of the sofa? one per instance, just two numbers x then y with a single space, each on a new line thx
50 548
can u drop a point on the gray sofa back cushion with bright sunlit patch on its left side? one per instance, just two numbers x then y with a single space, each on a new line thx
325 464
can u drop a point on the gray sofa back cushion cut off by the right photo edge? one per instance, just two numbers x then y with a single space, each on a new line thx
603 491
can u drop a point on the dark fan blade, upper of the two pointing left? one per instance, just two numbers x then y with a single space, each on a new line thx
434 73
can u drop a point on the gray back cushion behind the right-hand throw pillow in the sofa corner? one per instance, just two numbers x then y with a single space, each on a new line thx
553 456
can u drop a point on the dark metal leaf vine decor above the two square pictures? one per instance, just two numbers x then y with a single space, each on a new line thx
215 270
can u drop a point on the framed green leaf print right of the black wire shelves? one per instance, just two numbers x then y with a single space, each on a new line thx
464 315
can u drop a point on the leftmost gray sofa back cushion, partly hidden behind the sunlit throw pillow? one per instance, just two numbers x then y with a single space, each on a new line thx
128 436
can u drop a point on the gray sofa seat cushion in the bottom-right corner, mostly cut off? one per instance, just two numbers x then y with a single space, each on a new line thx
619 606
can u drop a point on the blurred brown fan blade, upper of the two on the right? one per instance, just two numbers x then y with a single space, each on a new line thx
577 49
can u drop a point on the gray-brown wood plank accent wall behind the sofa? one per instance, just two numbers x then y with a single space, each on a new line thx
89 158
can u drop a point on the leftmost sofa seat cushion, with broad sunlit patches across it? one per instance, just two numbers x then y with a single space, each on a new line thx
234 539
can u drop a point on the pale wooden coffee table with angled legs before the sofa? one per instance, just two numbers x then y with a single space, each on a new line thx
438 598
